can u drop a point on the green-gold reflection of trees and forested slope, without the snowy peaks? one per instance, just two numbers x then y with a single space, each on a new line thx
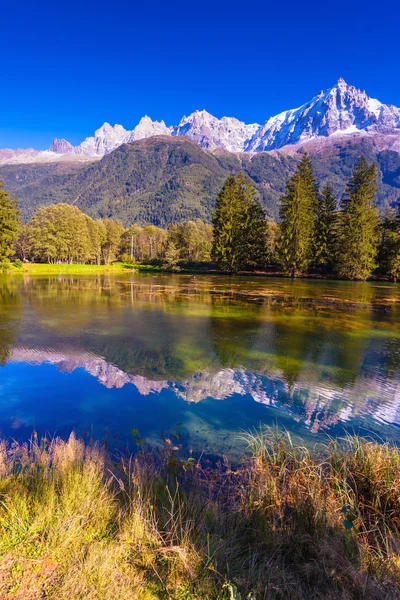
171 327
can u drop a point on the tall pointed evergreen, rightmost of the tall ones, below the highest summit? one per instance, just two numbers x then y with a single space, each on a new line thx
359 224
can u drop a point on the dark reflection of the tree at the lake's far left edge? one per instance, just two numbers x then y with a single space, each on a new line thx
9 317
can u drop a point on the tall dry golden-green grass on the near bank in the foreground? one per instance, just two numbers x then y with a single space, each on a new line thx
76 523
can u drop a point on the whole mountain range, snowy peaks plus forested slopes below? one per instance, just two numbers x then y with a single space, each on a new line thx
159 174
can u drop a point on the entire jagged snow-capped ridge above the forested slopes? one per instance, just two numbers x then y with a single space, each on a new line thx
341 110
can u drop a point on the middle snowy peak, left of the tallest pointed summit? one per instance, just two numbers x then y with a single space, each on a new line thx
210 133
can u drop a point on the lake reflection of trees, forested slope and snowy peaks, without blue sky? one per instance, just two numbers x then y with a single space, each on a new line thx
309 354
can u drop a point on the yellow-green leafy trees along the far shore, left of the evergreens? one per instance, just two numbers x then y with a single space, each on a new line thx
61 233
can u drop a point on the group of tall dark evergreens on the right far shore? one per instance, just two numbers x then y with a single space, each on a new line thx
315 233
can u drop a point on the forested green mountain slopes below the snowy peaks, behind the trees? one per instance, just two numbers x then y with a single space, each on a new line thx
162 180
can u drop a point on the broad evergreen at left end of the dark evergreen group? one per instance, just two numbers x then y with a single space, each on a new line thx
239 227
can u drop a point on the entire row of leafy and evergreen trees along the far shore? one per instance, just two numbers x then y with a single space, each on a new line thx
316 233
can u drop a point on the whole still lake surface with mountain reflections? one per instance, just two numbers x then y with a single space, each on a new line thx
216 355
